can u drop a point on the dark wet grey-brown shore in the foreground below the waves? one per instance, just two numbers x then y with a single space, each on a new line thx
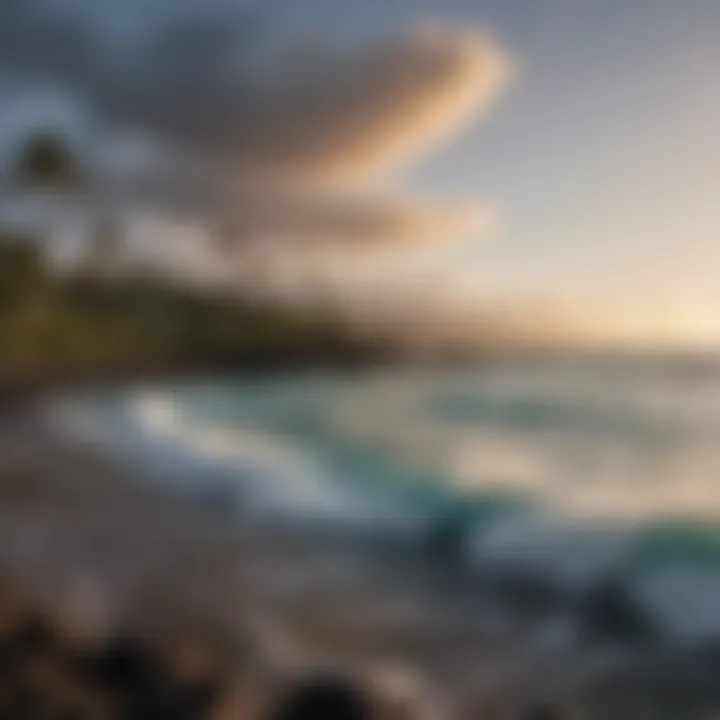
232 611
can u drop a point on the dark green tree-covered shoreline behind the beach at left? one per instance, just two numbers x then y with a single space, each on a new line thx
51 324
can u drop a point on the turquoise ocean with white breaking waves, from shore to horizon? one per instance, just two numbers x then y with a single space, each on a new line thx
573 470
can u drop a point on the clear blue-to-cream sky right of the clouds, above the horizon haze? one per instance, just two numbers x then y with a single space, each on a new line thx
604 154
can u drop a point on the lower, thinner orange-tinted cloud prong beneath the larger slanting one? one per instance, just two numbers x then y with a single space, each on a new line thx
305 220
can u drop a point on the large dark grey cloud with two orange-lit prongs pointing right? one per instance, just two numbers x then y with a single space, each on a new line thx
290 141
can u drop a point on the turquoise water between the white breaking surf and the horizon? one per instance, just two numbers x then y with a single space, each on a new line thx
607 442
